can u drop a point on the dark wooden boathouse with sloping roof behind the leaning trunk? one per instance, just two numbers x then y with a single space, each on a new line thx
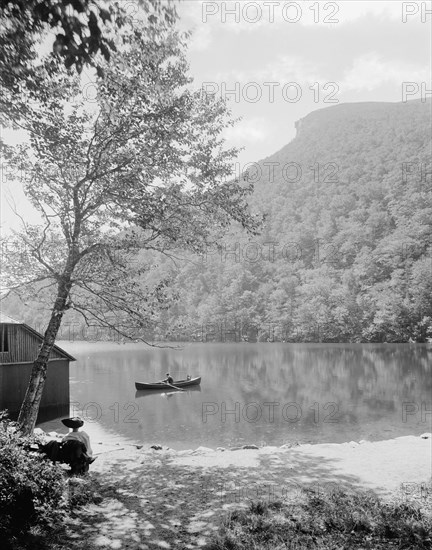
19 345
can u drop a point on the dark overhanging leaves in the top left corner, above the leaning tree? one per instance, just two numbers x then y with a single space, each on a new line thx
84 29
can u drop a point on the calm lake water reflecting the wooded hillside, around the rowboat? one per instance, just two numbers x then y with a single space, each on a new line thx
253 393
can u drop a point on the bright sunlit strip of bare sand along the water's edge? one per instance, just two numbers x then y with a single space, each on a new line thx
382 466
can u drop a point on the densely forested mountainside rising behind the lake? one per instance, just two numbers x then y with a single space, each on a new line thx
345 250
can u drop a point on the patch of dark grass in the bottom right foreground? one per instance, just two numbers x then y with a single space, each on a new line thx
327 521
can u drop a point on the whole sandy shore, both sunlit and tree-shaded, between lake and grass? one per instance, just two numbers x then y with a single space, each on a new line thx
177 499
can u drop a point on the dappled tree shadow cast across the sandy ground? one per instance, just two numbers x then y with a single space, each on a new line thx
163 505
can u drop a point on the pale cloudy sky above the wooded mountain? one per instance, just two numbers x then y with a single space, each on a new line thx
282 60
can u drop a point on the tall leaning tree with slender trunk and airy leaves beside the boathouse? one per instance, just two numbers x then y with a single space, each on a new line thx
114 177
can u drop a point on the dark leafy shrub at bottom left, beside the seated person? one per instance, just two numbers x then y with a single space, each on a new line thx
31 488
